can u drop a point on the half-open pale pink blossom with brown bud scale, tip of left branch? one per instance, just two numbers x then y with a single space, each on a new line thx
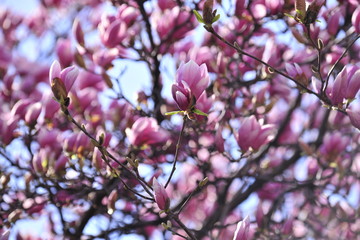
61 81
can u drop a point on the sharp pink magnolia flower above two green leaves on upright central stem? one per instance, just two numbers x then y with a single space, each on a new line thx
191 81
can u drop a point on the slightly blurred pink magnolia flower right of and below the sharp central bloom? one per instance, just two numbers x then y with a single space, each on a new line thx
253 135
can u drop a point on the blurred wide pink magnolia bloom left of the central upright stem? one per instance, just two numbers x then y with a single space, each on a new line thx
146 131
